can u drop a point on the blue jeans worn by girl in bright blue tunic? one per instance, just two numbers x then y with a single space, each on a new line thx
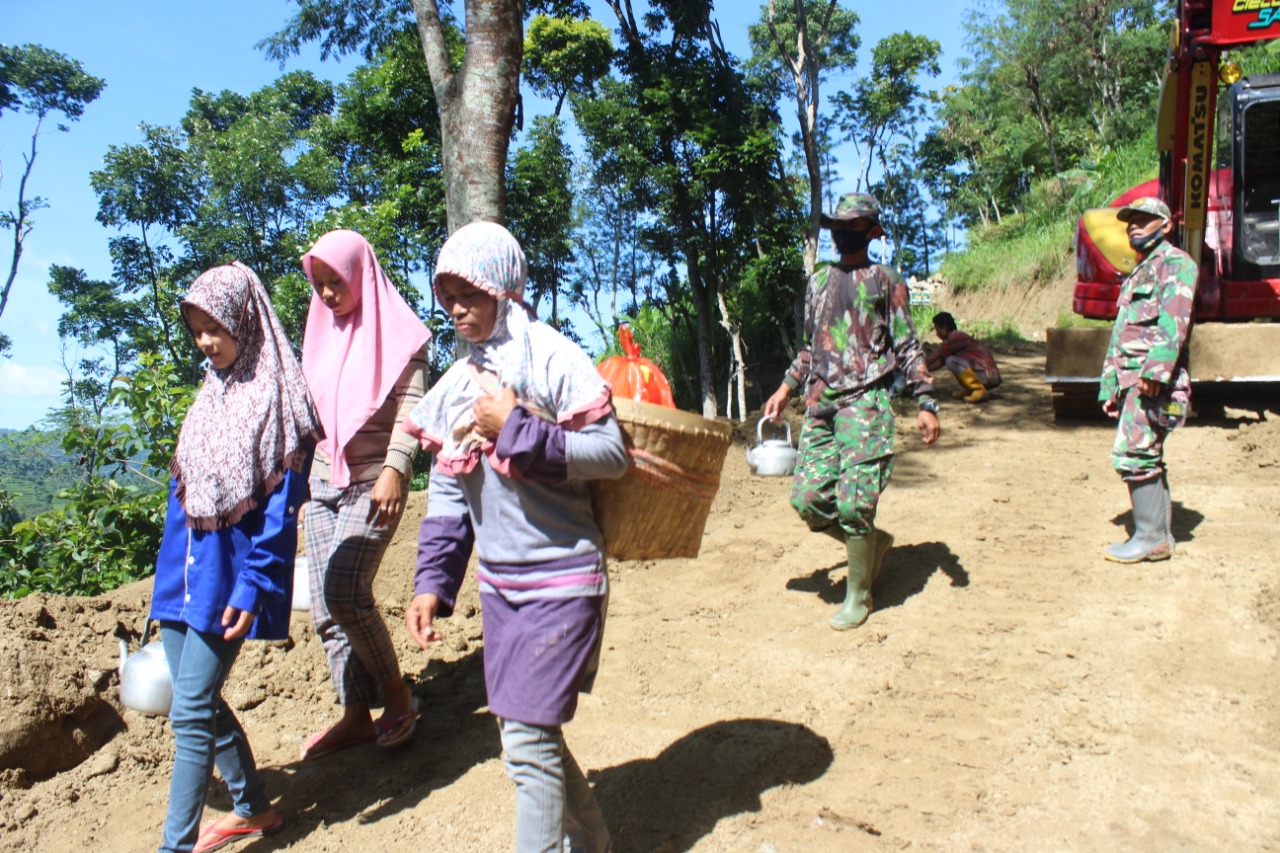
205 735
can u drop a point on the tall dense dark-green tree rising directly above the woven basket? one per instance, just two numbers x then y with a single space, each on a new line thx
697 144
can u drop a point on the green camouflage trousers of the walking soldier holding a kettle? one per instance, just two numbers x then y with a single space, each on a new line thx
844 466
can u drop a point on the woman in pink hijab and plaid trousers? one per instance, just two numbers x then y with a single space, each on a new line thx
365 361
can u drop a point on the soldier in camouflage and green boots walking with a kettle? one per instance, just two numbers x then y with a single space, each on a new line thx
858 332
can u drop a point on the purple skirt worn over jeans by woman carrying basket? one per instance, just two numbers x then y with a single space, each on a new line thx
540 655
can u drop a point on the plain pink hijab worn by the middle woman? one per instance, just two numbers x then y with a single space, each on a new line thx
353 363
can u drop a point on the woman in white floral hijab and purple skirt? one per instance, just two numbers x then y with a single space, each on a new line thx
519 428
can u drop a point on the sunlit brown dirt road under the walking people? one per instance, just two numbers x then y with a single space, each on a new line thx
1012 692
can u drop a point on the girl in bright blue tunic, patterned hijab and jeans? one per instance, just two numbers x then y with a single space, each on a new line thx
226 565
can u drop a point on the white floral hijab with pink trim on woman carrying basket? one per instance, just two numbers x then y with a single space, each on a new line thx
552 377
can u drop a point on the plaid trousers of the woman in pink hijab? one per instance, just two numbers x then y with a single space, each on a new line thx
344 554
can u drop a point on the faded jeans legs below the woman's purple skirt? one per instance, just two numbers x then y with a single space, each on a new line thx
556 808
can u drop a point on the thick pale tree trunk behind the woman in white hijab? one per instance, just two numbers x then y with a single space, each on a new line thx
477 103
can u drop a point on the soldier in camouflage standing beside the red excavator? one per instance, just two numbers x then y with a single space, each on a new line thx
1145 381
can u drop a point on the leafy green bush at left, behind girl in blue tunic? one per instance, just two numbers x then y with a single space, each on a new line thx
109 532
